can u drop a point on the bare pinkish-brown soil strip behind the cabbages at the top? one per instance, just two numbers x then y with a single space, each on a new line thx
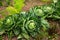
31 3
